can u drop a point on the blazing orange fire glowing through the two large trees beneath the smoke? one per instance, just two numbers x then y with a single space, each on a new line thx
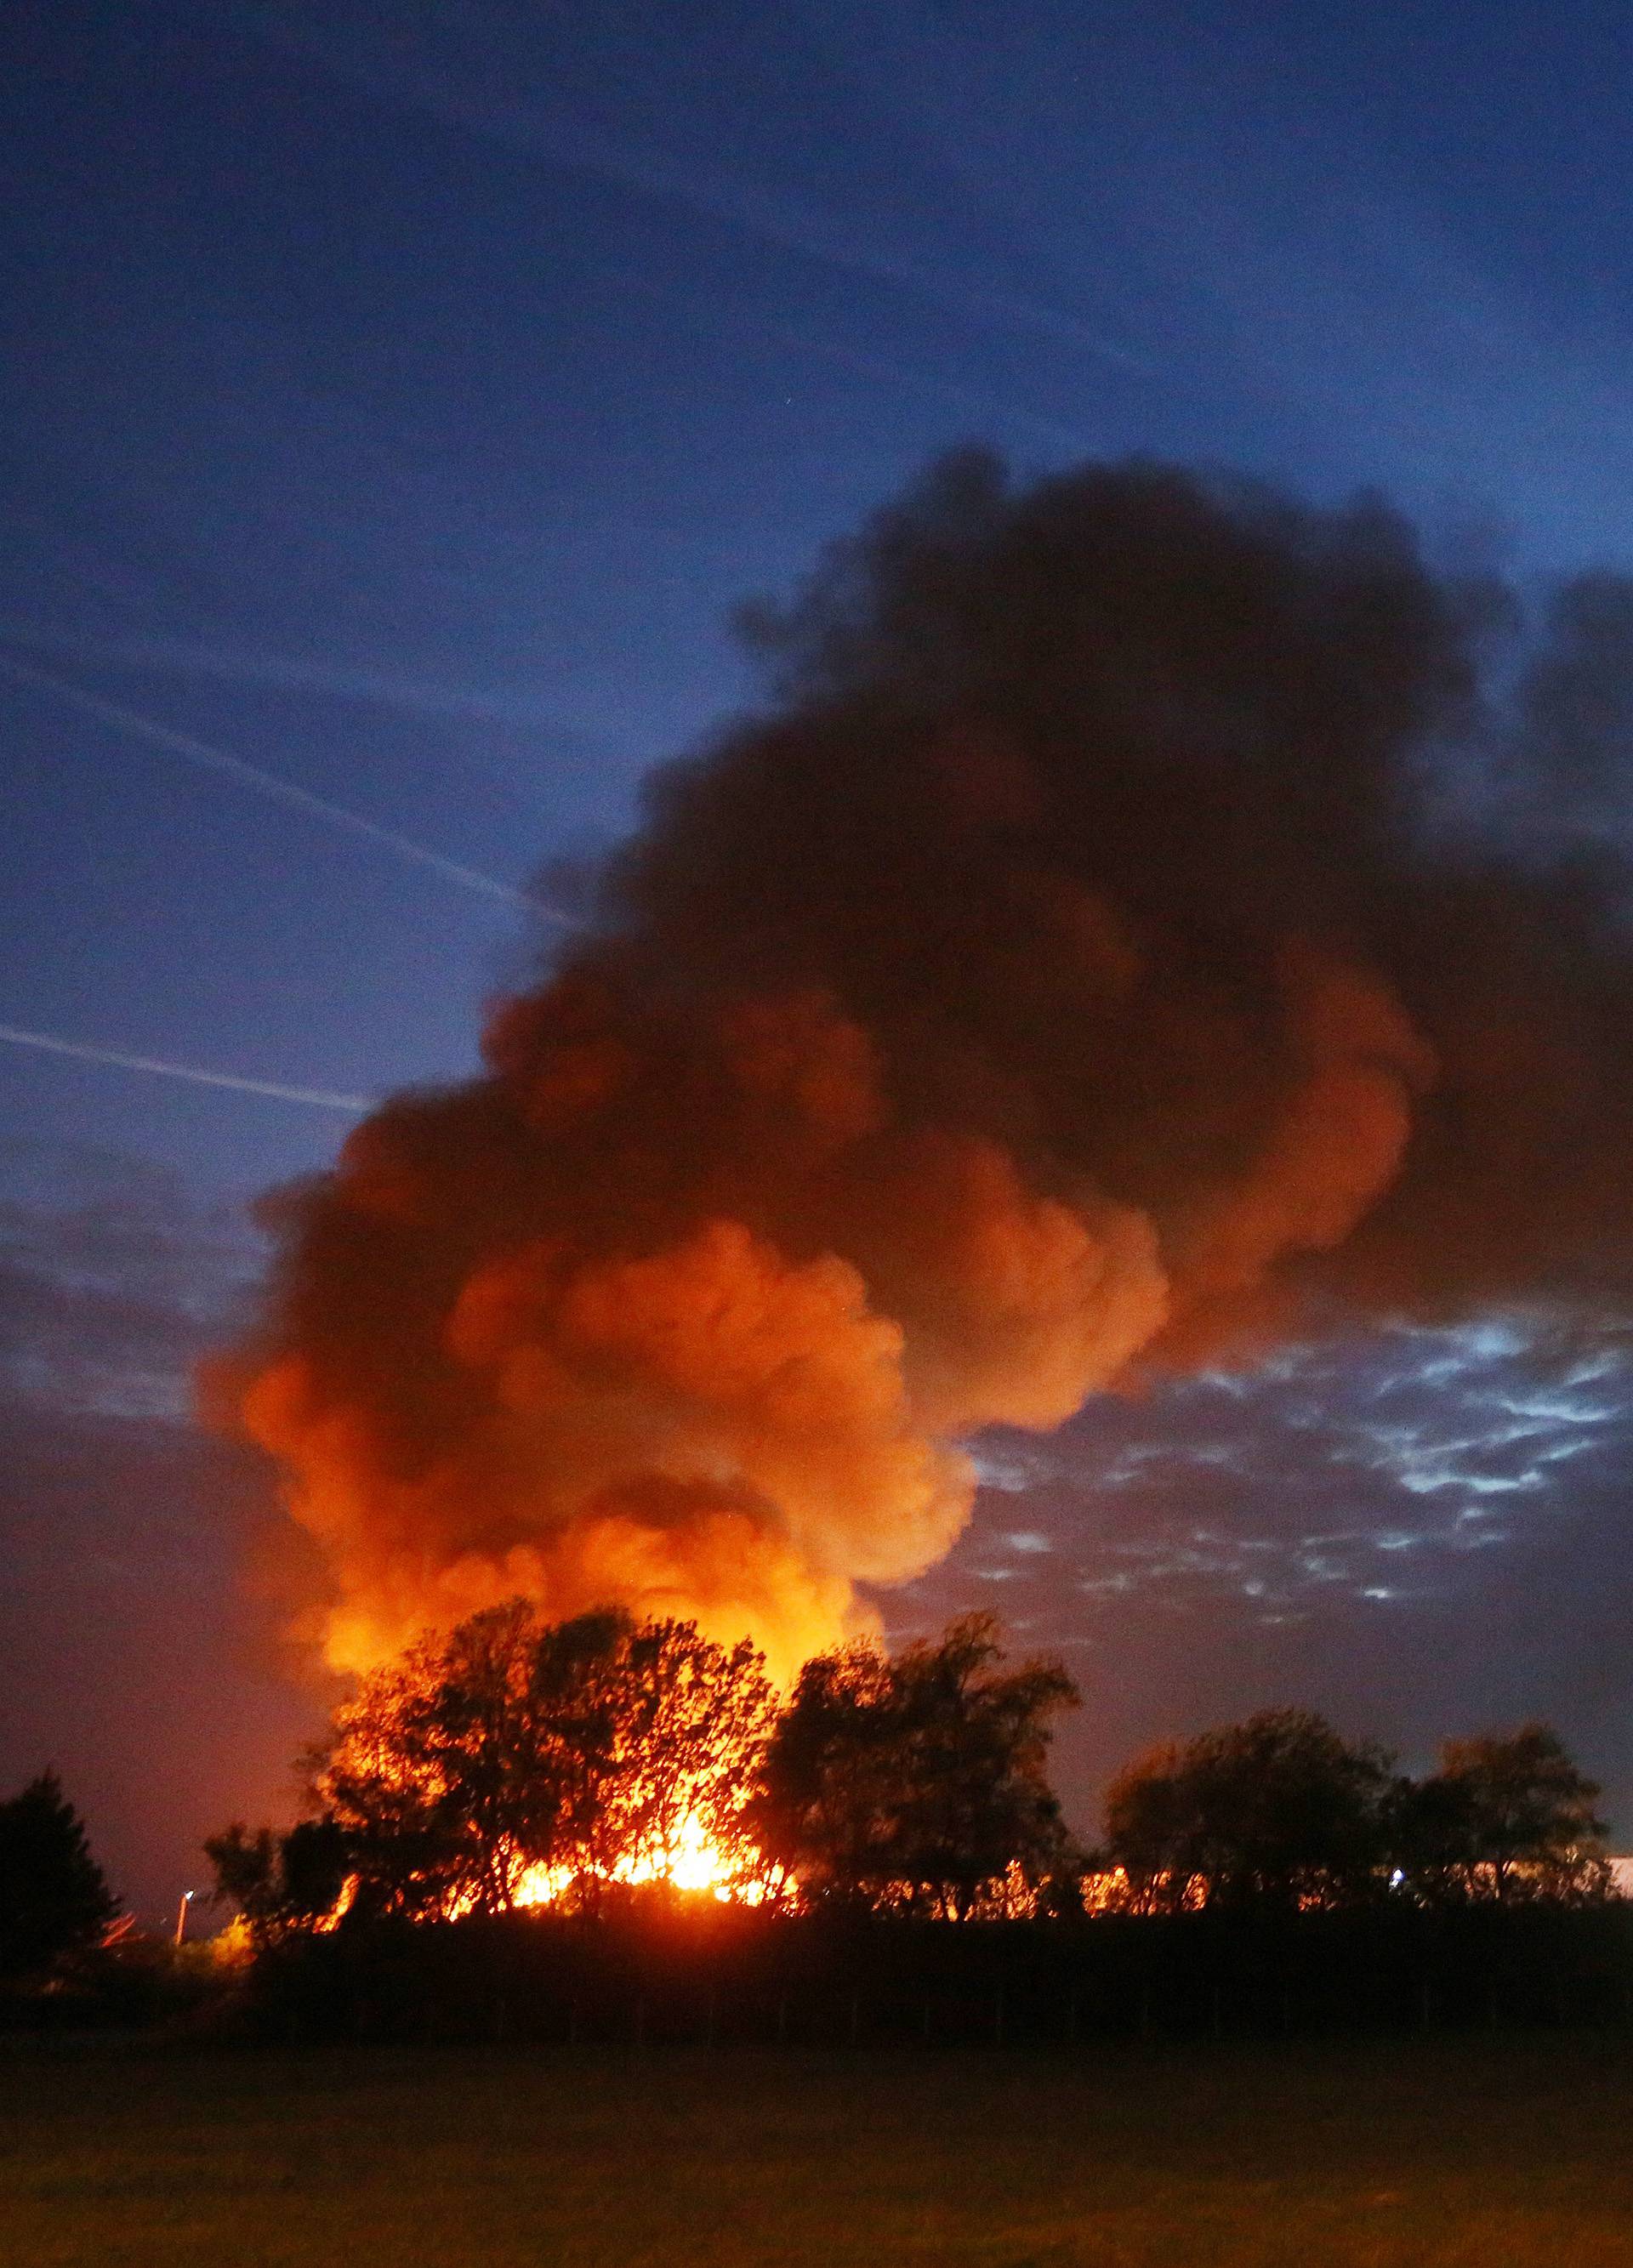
525 1766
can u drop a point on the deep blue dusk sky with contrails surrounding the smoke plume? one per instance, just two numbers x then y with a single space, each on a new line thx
398 405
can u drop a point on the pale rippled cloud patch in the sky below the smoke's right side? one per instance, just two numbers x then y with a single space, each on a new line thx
1308 1487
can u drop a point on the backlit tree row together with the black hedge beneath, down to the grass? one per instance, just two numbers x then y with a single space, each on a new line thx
607 1829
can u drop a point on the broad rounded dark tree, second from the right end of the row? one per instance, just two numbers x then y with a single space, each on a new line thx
1271 1811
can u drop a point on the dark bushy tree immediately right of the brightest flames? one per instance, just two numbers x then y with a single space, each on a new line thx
917 1779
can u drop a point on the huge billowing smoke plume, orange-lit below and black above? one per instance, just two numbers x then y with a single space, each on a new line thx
1067 972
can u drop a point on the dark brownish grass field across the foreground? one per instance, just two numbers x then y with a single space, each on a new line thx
1484 2153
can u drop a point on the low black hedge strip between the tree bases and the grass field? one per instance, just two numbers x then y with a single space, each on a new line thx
657 1970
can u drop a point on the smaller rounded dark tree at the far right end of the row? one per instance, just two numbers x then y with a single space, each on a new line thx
1507 1818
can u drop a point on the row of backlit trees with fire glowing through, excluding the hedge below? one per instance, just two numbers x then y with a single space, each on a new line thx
521 1761
